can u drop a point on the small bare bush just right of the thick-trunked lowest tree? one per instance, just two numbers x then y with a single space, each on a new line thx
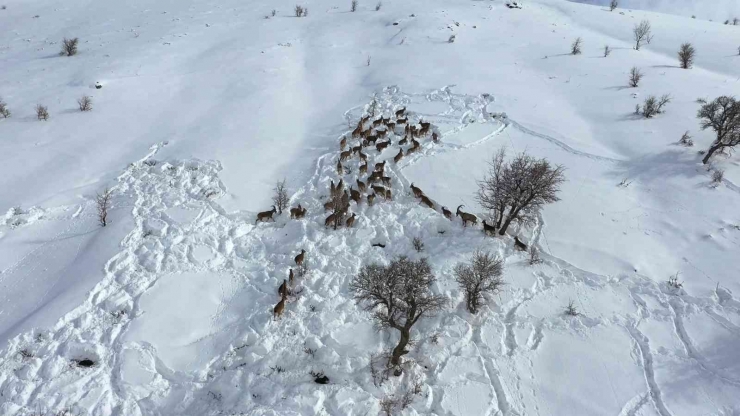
479 277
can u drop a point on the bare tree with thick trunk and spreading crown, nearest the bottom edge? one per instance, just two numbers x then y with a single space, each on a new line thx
398 295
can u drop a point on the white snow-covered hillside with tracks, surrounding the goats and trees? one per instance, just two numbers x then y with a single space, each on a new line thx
205 104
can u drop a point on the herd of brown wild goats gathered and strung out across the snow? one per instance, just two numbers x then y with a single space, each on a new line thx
377 131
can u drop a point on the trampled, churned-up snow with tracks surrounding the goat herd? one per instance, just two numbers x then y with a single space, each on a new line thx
232 354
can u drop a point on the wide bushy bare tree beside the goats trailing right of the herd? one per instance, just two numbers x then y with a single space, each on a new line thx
516 190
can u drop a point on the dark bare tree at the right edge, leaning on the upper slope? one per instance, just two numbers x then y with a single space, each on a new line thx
723 116
